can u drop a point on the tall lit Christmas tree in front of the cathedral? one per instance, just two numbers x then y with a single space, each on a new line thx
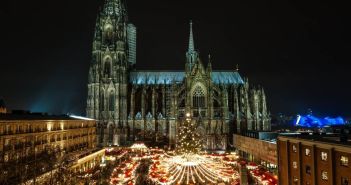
188 139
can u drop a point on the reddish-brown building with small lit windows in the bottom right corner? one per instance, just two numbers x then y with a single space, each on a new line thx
314 160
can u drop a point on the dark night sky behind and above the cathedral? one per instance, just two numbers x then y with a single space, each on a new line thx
297 50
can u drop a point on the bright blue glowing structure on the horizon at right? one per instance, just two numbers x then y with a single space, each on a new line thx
312 121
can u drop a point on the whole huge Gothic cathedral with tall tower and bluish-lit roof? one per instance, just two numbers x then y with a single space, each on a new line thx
134 105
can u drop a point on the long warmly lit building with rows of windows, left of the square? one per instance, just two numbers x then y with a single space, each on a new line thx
30 144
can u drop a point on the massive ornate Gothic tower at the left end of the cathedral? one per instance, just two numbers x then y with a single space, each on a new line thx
108 73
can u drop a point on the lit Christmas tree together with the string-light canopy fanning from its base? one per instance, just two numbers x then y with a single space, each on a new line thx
189 166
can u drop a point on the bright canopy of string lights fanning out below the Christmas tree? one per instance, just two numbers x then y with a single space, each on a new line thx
193 168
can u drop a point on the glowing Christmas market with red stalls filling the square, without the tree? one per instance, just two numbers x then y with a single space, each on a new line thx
188 168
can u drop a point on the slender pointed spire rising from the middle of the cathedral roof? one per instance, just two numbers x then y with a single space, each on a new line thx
191 54
